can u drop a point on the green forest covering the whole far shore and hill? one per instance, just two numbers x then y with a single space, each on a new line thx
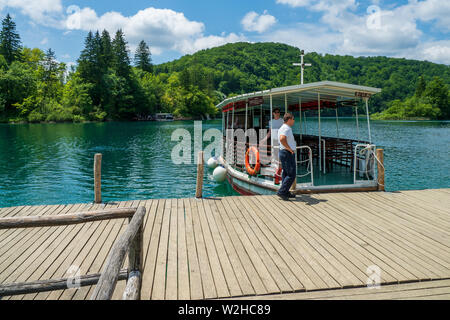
110 83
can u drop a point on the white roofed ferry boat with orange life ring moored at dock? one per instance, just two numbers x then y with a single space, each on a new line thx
324 164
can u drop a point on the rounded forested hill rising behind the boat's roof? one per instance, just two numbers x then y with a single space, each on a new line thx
245 67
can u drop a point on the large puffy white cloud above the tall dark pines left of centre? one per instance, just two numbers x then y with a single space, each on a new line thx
163 29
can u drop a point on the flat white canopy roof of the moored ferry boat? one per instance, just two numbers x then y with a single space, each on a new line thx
332 95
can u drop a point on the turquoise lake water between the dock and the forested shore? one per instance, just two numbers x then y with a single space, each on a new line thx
53 163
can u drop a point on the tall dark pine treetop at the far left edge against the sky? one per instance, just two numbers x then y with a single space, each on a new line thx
10 44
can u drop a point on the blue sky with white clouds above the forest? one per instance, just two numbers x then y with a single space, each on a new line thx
417 29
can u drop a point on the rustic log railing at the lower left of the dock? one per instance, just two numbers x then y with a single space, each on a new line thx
131 241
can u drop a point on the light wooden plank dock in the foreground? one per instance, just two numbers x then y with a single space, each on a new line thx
315 247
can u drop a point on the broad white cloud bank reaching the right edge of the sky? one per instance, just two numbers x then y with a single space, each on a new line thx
392 31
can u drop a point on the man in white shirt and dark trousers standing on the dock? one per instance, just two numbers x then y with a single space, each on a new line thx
288 148
